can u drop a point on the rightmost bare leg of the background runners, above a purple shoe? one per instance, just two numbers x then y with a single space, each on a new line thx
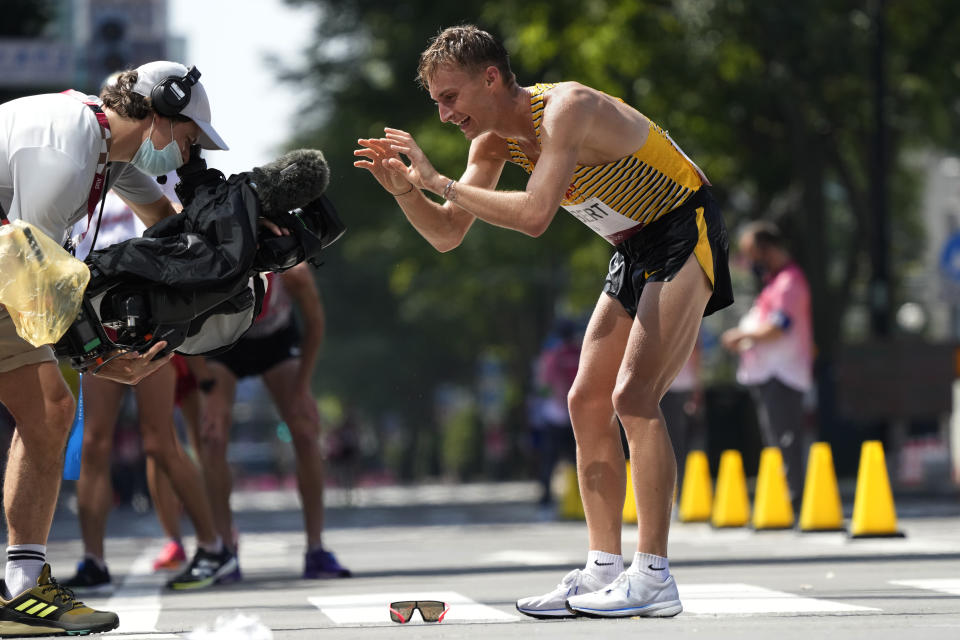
299 410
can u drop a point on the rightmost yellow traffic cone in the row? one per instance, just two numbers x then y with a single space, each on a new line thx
873 513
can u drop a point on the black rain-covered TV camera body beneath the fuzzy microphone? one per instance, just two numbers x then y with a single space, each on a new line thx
194 280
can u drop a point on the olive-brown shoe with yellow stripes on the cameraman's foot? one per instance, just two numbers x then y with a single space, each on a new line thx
50 609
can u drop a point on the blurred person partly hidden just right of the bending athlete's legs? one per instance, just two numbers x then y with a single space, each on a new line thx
681 406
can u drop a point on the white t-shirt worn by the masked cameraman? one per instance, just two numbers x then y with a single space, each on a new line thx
49 147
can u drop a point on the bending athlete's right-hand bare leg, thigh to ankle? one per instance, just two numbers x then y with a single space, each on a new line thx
661 339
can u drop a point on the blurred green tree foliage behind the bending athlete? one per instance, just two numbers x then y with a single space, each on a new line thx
773 99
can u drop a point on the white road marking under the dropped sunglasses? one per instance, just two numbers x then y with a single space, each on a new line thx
375 608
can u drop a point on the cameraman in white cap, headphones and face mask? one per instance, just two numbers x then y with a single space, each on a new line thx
58 154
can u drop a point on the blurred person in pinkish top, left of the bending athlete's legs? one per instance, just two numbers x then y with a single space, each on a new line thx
556 370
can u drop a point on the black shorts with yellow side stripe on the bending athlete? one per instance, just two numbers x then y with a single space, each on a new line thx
658 251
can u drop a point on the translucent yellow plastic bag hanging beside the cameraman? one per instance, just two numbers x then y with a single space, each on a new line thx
41 285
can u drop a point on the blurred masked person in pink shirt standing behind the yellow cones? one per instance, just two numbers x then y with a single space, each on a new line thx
775 343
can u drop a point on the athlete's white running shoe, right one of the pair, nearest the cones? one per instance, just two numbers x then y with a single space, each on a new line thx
631 594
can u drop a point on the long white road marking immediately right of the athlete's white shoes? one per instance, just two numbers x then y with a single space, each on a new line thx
738 598
